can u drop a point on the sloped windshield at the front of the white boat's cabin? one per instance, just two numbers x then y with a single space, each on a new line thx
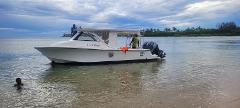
86 37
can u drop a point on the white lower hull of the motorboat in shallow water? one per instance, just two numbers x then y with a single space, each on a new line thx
80 55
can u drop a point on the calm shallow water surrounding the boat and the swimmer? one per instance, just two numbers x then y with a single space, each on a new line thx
198 72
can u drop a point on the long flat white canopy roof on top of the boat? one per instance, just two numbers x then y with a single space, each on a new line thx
128 31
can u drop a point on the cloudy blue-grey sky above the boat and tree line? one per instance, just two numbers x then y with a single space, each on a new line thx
54 17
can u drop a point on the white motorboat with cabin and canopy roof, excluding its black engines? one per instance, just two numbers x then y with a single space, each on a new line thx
96 46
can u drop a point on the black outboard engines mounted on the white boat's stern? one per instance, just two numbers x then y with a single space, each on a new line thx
154 49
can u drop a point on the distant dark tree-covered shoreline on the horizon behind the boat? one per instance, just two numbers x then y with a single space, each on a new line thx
222 29
